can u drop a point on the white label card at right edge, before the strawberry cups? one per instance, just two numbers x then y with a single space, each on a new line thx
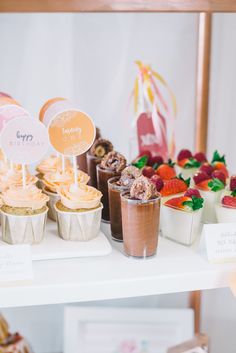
220 242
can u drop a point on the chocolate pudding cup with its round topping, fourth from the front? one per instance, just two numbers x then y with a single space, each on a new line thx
100 148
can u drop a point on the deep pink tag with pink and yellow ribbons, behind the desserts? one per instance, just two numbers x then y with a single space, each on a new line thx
155 117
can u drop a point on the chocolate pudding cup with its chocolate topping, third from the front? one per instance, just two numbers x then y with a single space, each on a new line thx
111 165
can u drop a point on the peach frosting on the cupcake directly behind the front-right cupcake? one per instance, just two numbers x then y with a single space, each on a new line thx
54 180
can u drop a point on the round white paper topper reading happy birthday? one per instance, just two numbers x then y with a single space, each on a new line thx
24 140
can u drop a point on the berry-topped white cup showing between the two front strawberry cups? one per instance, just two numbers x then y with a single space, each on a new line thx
211 188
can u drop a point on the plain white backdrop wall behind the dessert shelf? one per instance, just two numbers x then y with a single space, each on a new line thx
89 58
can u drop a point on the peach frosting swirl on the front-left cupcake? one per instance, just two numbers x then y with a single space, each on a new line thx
30 197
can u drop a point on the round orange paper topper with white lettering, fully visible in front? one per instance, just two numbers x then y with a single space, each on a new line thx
72 132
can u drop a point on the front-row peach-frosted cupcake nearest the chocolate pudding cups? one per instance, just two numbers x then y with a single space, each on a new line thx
78 212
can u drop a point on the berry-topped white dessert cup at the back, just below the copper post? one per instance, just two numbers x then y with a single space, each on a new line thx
188 164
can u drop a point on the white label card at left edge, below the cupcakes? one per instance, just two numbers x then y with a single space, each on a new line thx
15 263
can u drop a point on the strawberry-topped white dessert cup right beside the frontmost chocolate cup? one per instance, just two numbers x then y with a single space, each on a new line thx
181 217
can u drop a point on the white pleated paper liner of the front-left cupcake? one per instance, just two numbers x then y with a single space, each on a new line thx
23 229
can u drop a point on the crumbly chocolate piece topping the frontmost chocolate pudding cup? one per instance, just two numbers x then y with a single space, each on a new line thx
143 189
